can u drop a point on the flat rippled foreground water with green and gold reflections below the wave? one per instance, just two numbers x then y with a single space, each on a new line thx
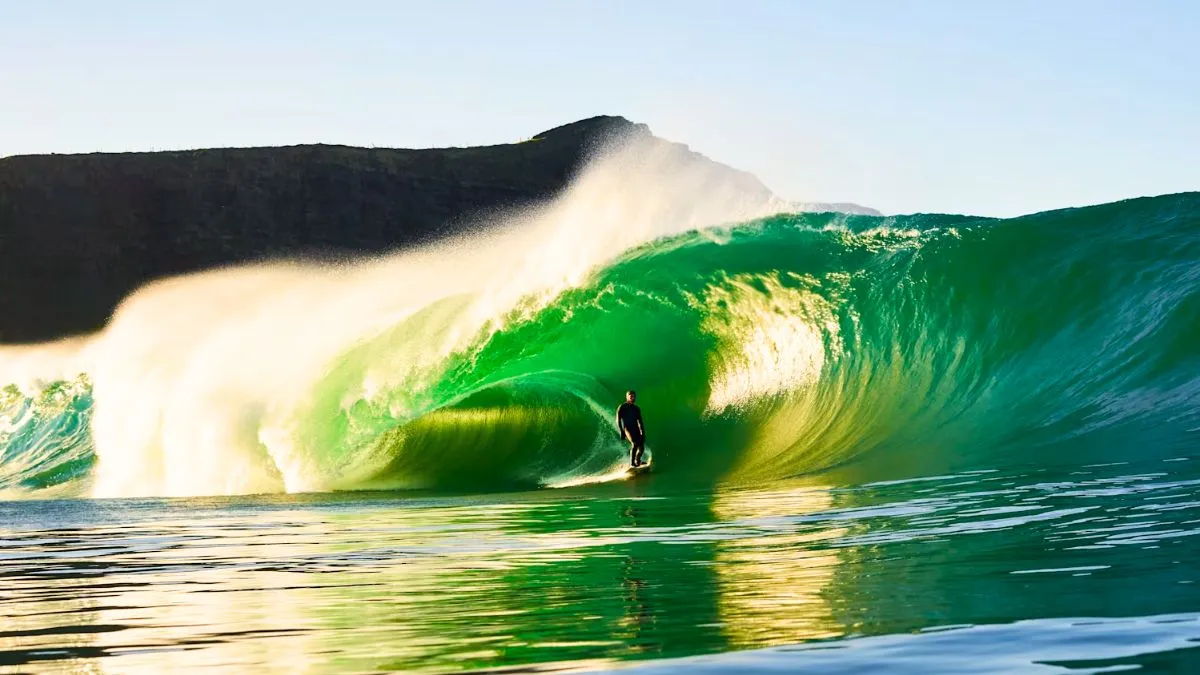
1094 569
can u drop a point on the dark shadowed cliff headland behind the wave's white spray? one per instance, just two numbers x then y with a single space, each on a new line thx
80 232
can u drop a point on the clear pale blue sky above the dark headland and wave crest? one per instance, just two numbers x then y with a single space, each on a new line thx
993 109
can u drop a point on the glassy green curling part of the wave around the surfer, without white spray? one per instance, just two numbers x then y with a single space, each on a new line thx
863 348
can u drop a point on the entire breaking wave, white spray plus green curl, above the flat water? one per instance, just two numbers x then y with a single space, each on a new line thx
785 345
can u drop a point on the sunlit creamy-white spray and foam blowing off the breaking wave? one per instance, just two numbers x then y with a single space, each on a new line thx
211 384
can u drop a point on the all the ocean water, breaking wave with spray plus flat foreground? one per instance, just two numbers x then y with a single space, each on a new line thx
928 444
